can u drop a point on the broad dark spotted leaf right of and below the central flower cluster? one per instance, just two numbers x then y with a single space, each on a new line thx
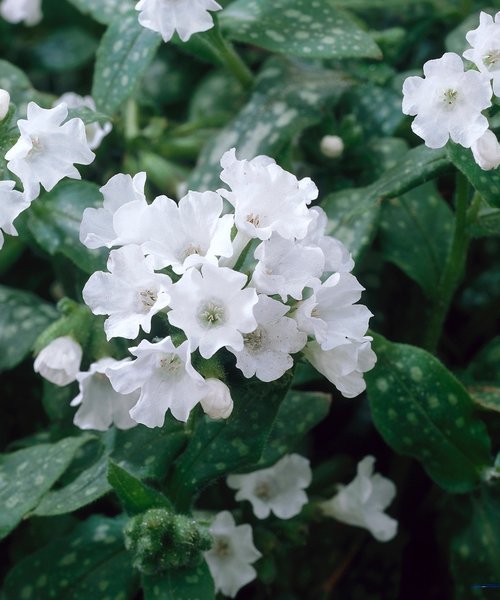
423 411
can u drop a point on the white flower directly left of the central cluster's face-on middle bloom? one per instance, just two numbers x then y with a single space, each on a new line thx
131 293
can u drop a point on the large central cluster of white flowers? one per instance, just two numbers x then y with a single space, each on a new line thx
263 283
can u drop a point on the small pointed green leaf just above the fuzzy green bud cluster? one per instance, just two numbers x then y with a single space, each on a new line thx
136 497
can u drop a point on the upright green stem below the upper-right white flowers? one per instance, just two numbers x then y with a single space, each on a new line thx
453 270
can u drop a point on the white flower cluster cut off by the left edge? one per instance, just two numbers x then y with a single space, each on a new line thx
46 152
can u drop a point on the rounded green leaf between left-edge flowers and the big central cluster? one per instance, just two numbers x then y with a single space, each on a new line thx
54 220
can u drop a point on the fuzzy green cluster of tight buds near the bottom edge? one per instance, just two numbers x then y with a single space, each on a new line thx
160 540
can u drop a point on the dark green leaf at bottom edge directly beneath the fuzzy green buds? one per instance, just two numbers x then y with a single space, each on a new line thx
180 584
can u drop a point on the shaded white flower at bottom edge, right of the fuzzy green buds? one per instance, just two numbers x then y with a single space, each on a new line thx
231 555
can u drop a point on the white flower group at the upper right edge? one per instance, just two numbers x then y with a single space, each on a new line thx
448 102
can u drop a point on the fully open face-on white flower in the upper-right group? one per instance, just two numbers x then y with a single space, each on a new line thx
448 102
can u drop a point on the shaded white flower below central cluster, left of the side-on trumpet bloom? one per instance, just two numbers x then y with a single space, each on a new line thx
278 489
